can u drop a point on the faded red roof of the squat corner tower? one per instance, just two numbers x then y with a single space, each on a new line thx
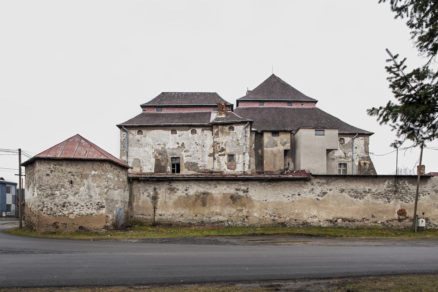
77 148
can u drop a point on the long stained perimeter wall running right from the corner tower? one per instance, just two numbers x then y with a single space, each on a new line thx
323 201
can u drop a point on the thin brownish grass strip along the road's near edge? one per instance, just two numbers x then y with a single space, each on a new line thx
399 283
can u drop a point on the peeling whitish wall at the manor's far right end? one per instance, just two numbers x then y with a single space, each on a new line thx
362 161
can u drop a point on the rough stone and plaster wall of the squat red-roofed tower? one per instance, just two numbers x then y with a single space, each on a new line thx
75 195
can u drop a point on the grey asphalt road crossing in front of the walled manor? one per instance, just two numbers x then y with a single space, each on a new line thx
31 262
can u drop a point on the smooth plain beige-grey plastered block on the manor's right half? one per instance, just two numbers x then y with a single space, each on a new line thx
311 150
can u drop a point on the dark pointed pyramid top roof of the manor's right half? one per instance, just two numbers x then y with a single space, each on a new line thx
275 89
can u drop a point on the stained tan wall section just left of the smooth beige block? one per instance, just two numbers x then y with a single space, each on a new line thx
273 152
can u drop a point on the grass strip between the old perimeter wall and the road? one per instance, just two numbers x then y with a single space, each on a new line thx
140 232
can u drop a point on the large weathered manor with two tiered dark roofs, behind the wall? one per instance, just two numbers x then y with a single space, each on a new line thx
274 129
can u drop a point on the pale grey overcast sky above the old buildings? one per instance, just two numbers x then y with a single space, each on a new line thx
70 67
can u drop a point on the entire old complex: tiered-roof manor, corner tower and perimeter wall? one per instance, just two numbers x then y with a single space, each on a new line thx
192 158
